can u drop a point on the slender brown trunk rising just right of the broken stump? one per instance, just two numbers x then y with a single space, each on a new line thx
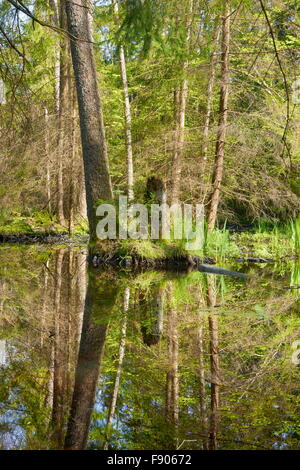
180 98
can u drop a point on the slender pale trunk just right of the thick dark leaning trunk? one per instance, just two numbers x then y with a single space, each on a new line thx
128 134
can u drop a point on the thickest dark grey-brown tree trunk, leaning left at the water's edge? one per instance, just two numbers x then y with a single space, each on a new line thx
96 166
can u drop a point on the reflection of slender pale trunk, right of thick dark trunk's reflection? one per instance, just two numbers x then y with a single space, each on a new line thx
115 393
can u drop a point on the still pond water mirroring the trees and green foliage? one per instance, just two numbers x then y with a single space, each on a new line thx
146 360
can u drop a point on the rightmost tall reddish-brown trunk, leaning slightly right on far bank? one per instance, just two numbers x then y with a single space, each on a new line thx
223 111
